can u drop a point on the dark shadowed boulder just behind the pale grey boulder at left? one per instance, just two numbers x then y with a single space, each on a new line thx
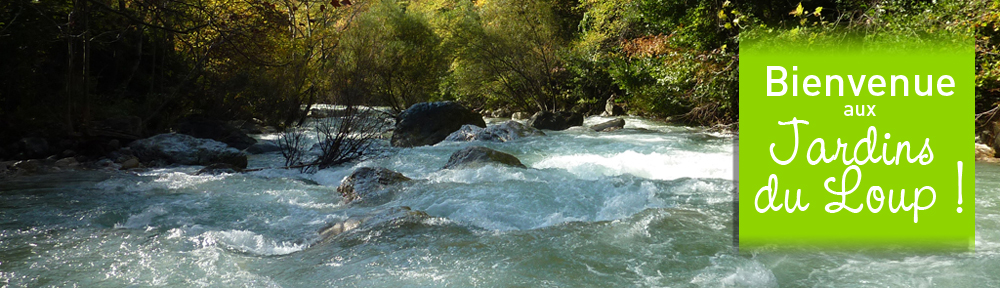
202 127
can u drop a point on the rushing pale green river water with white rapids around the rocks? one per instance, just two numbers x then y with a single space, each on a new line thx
647 206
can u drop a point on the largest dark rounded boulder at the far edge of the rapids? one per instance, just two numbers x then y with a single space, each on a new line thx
431 122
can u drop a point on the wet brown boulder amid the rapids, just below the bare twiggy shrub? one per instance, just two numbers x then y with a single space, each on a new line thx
370 185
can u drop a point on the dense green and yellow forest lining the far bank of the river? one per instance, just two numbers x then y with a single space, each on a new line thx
80 67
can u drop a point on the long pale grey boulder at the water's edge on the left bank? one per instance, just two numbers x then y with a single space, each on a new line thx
174 148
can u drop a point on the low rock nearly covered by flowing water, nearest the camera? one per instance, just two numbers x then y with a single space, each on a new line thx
386 218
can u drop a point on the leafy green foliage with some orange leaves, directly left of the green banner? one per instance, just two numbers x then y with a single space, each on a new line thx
666 57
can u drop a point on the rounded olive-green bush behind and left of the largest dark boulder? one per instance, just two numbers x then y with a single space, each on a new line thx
389 56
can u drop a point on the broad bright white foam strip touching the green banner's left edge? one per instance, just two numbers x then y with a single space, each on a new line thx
650 166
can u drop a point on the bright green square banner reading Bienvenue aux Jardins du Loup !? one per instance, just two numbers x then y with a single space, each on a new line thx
857 145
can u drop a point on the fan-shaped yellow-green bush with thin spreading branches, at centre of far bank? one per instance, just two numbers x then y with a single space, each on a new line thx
508 55
